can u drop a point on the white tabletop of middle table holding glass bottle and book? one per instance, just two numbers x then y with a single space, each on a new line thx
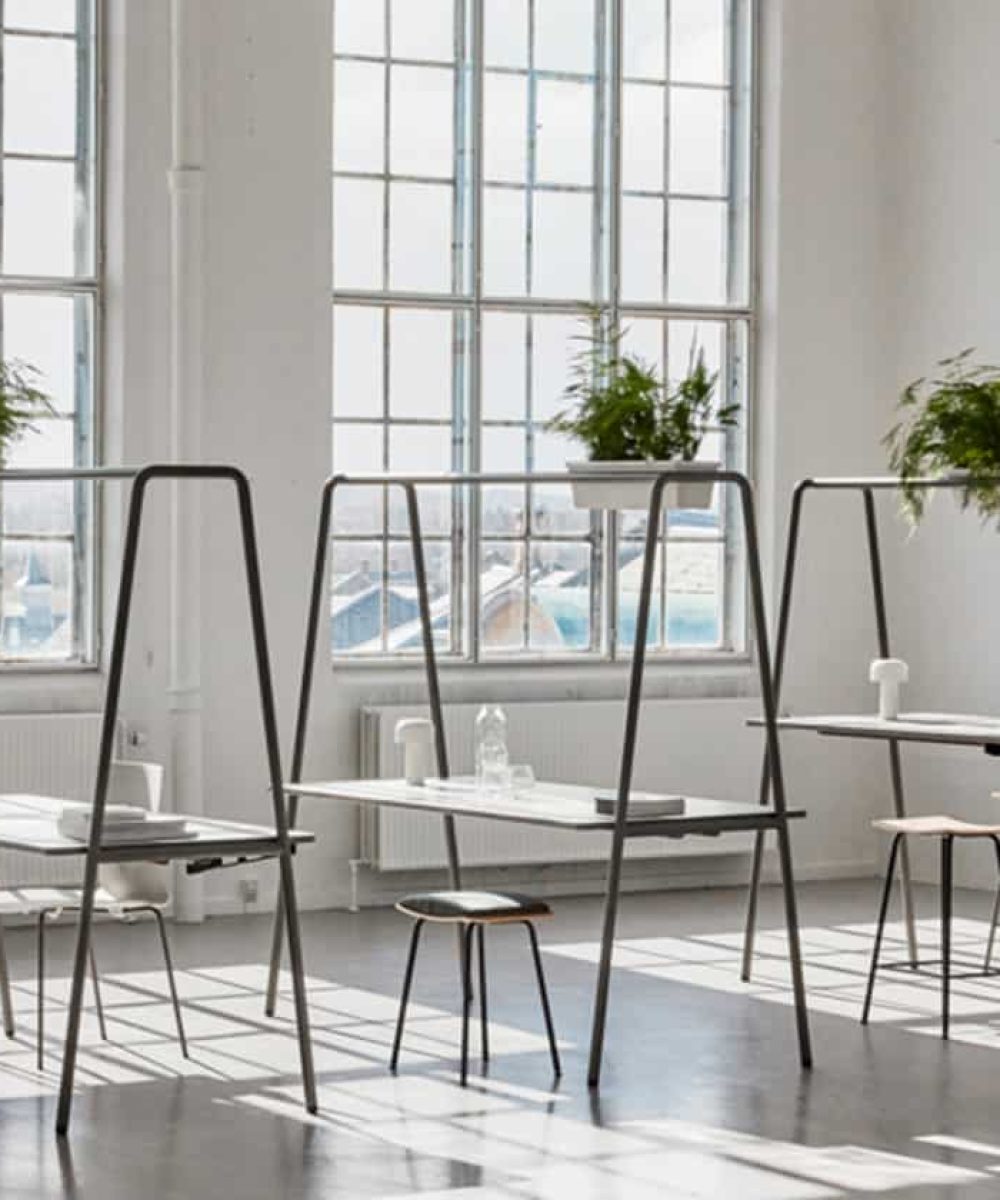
560 806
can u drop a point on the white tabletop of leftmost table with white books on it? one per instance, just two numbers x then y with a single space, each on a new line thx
29 824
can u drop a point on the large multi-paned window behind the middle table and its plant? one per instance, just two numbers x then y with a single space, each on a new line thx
482 197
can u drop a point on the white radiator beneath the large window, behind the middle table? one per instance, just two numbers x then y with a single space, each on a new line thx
697 747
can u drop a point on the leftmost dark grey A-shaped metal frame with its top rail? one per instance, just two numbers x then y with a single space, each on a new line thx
280 845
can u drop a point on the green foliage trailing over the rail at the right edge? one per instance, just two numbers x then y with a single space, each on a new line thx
950 424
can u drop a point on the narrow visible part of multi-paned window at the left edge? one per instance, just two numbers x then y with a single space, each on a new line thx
49 314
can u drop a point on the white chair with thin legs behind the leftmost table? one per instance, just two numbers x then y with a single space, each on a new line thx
125 891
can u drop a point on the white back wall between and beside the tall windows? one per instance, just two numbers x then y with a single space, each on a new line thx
823 383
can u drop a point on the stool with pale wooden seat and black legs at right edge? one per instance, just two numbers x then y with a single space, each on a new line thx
948 830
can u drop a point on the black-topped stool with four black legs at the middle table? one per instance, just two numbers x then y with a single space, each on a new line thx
471 911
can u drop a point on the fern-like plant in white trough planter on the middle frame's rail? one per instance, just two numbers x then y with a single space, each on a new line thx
628 419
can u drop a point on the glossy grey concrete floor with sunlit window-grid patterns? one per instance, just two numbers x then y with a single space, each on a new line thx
702 1096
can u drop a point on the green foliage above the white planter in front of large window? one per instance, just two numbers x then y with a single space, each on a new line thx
624 412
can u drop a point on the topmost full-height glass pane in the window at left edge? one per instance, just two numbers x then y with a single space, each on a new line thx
40 101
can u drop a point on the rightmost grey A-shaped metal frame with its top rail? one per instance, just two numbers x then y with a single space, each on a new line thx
867 487
